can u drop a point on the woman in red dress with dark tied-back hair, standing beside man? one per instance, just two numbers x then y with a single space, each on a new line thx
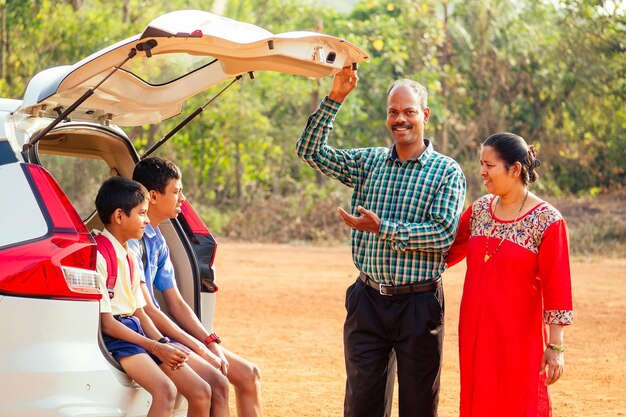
517 294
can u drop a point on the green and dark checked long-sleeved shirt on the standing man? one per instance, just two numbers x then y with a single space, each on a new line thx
419 201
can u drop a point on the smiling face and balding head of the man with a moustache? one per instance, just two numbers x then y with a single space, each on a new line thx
405 117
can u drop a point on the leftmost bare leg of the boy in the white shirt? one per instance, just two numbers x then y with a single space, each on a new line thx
147 373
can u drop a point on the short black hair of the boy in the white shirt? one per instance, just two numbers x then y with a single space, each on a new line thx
119 193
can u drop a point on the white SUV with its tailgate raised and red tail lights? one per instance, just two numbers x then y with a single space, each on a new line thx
52 359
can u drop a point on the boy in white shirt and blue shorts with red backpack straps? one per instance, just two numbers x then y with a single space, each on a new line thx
128 333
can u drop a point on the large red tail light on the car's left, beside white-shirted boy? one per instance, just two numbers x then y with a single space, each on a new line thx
62 264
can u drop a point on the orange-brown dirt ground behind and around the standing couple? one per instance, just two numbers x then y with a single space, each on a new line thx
281 306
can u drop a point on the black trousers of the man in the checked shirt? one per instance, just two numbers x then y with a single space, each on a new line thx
375 324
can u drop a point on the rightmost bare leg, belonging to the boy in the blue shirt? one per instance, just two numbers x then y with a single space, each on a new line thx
246 379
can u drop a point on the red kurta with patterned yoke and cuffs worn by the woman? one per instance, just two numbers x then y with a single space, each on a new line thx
507 303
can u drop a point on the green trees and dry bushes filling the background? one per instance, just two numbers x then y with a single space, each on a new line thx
553 71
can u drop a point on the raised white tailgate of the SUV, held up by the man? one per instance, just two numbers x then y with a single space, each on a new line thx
177 56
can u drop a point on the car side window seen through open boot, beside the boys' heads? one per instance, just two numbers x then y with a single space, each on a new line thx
79 177
